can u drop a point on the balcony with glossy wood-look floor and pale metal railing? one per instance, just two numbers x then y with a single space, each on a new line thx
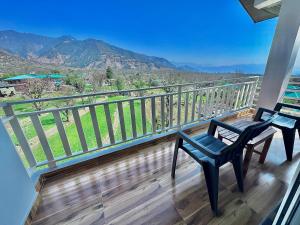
110 162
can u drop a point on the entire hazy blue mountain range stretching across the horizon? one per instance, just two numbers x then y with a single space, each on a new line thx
29 53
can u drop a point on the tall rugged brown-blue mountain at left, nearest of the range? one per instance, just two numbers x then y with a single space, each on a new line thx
67 51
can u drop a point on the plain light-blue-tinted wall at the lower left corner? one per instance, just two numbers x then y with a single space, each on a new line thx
17 192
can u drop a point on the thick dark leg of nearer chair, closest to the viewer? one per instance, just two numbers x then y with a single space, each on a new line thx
212 181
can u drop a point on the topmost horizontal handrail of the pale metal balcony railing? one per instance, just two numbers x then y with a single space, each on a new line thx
3 104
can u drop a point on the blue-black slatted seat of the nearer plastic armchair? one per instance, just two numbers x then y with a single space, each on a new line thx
209 141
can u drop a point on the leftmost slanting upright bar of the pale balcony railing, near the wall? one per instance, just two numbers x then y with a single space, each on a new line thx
15 125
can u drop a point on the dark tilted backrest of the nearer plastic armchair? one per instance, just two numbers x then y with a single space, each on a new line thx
252 131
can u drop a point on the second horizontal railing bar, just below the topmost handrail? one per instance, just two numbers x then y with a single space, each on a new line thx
124 100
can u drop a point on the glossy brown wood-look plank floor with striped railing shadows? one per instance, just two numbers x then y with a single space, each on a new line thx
138 189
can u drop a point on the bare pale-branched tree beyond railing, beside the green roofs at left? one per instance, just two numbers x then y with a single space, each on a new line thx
35 89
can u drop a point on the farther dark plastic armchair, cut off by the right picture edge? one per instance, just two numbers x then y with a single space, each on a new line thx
288 125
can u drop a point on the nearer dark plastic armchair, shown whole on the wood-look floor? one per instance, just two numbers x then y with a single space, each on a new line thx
212 153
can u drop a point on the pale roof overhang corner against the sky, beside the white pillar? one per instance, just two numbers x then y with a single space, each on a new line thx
259 15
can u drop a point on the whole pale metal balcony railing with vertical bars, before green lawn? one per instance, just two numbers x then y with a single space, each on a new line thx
129 115
